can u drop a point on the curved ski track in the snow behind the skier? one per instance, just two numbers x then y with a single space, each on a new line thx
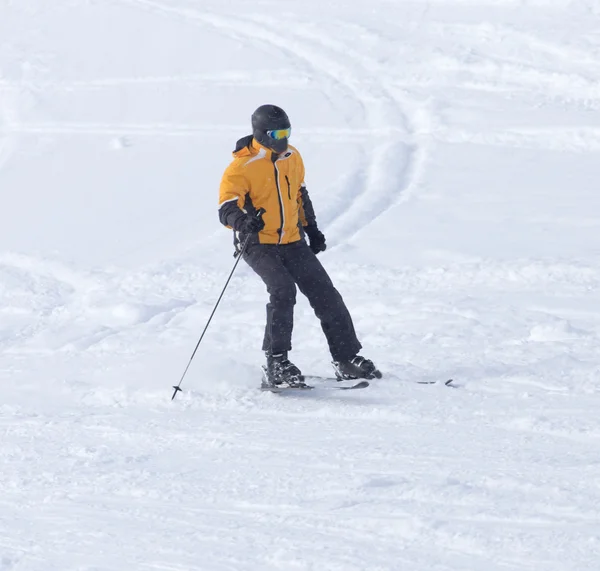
388 172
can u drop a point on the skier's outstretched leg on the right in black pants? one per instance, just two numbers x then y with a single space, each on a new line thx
327 303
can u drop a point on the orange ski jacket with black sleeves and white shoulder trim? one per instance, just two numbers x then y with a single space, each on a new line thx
258 178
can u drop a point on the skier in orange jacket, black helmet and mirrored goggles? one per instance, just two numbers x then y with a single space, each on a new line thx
267 173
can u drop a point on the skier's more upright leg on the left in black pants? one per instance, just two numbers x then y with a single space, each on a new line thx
265 260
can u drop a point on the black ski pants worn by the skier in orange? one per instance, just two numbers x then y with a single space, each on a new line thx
284 267
